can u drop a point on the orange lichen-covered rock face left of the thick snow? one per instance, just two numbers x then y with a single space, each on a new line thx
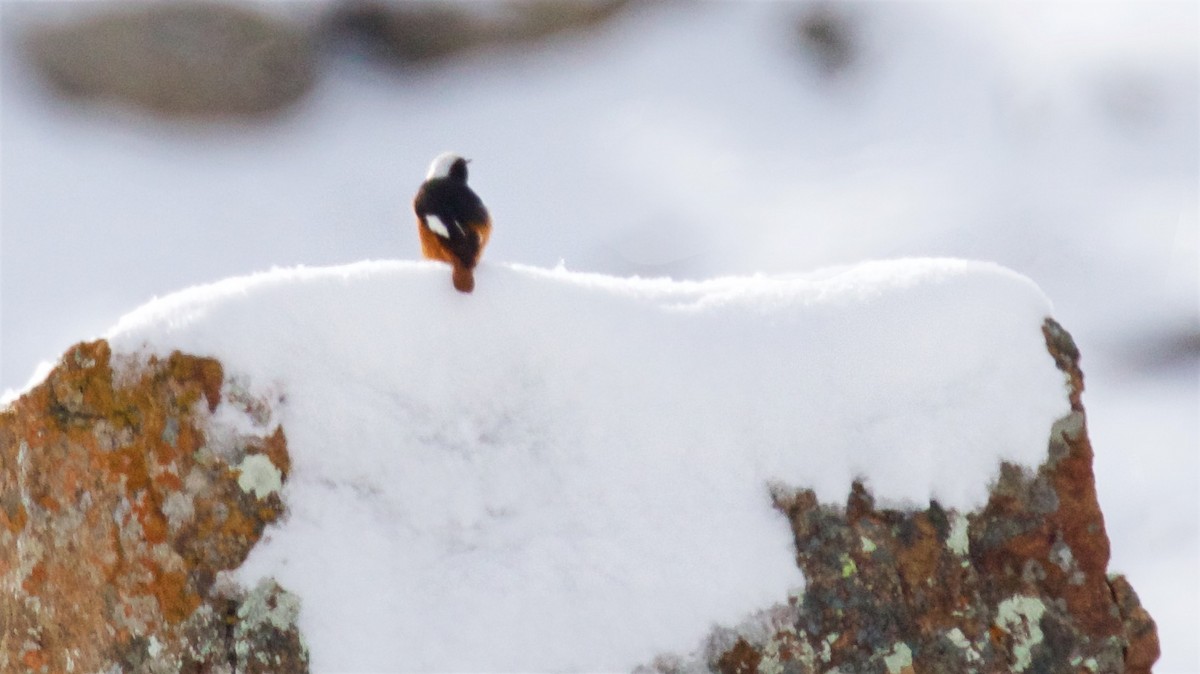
118 516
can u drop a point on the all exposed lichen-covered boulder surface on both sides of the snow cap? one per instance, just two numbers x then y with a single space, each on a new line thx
122 508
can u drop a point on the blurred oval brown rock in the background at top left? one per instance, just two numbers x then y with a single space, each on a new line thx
184 58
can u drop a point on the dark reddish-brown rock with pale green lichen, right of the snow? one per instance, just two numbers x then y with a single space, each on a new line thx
1019 586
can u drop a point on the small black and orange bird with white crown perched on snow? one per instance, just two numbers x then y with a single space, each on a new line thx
452 220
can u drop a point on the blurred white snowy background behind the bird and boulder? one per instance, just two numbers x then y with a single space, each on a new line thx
1061 140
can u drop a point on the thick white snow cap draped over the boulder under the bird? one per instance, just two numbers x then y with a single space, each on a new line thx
571 472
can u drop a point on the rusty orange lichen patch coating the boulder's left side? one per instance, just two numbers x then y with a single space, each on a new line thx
87 466
